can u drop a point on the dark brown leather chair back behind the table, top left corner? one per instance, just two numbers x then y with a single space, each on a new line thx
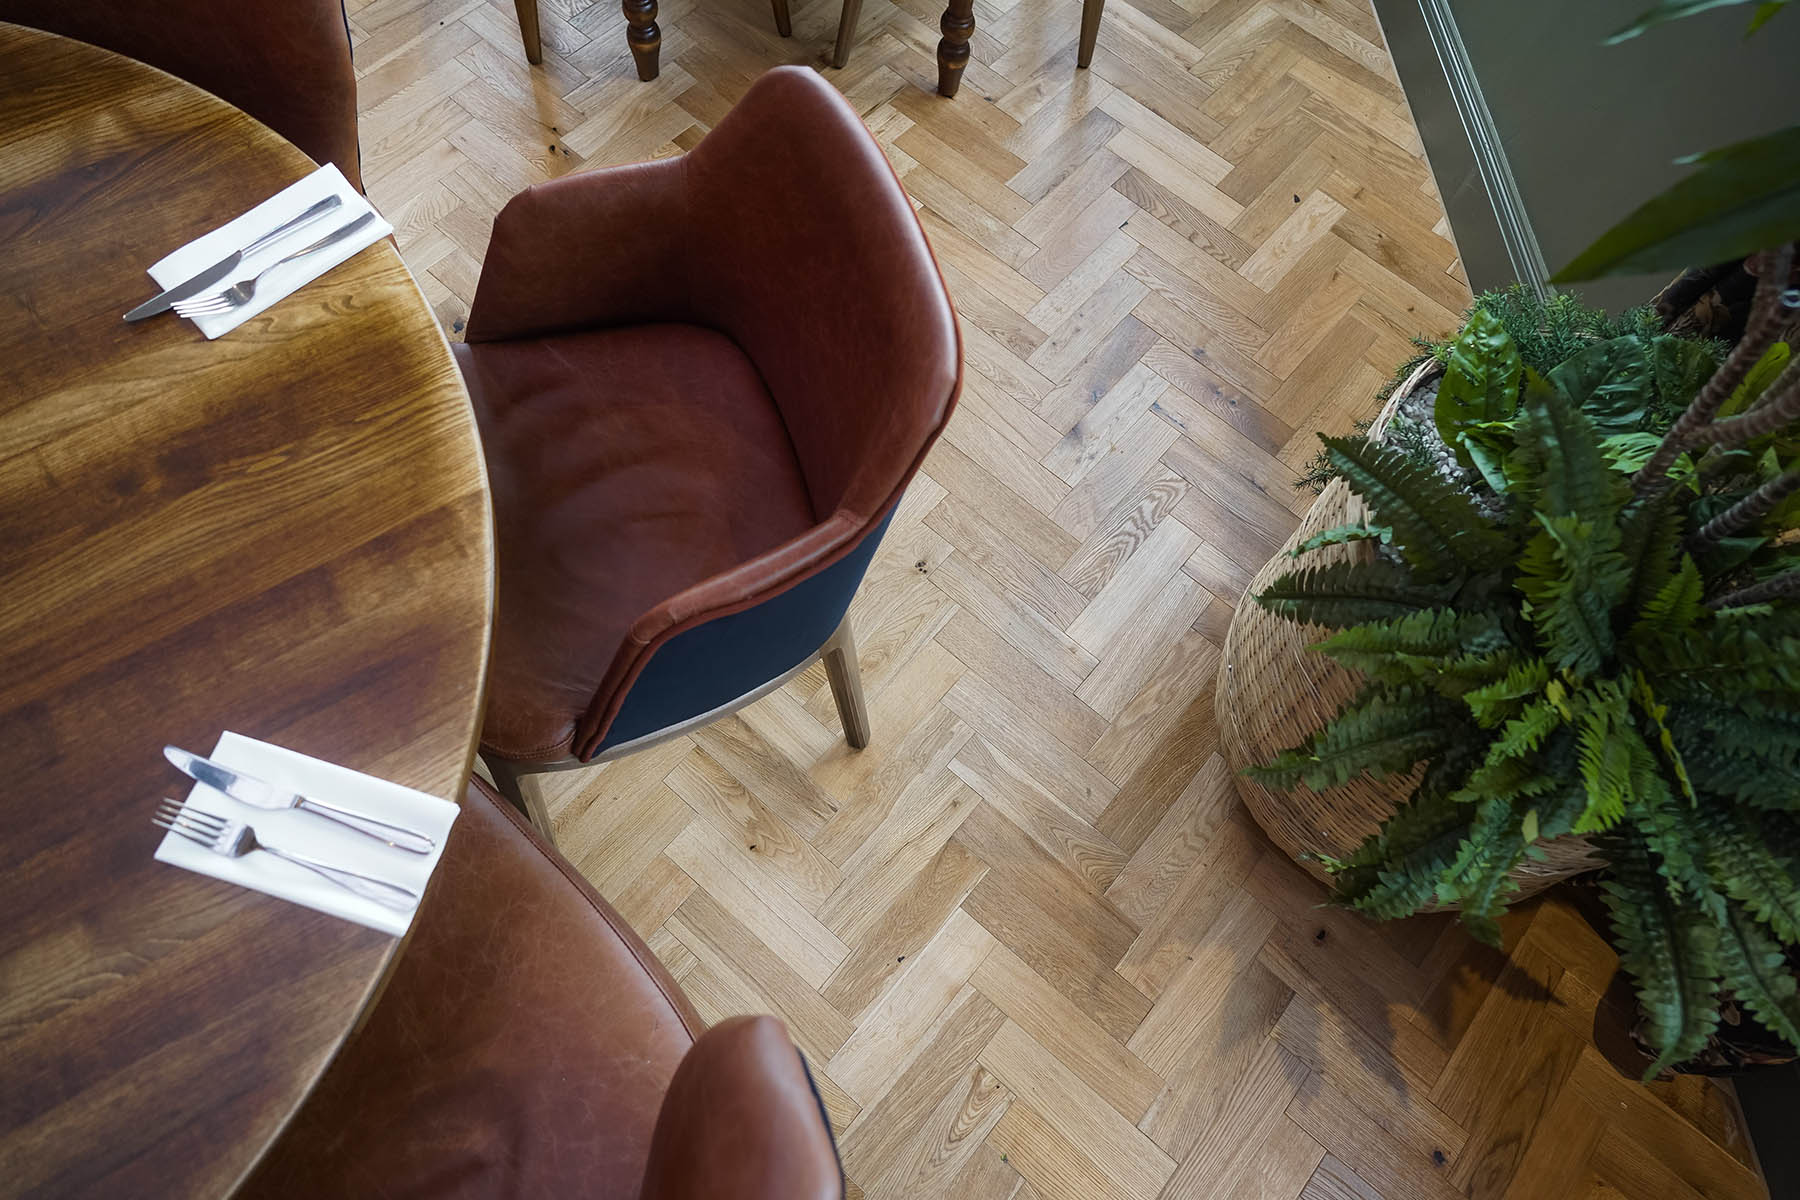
283 62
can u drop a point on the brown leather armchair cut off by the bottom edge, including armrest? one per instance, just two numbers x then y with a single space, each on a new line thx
530 1044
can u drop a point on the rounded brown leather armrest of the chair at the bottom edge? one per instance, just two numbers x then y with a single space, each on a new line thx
742 1122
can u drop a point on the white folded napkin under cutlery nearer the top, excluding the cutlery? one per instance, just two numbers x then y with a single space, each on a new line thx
271 215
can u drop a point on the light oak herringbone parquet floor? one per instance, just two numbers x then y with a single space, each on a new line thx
1029 938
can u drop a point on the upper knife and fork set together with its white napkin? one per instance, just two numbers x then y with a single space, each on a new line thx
240 269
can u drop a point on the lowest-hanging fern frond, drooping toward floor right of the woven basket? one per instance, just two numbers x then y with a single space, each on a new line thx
1669 951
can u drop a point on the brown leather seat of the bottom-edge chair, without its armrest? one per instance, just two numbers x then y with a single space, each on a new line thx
523 1046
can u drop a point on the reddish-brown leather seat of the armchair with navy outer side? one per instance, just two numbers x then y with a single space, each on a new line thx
627 465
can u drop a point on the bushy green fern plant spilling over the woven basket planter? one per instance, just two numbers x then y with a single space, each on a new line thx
1619 658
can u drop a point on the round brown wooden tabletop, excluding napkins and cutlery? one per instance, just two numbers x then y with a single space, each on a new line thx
283 533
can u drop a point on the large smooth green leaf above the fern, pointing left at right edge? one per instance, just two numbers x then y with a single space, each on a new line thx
1743 199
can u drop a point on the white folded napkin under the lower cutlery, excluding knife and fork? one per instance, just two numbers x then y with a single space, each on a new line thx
312 836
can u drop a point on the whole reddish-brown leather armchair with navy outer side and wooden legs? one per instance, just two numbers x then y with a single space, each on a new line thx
703 386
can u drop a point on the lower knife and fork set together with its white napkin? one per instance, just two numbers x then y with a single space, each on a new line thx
258 816
